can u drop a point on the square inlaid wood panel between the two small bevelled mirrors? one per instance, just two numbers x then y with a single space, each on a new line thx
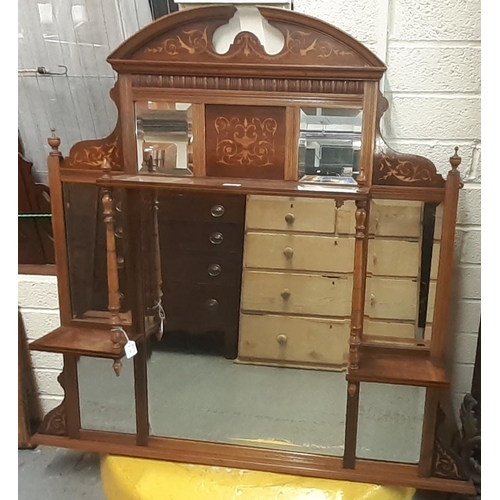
245 141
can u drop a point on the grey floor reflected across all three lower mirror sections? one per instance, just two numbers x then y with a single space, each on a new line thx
209 398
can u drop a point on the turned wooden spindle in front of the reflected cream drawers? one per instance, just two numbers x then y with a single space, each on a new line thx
358 290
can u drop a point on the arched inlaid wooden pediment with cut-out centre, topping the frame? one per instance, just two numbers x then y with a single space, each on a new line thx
186 38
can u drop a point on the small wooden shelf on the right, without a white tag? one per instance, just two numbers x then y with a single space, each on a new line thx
399 369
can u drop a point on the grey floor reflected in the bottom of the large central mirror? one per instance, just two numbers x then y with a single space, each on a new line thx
195 393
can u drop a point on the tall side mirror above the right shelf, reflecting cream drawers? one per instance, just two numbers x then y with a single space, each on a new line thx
403 256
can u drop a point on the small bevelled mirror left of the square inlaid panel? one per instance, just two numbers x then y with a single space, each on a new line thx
164 137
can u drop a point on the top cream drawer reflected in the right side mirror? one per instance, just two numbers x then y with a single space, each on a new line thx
396 218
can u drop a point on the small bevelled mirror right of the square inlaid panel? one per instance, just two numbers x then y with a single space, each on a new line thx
329 143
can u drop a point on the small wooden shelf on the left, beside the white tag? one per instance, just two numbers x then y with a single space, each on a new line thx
79 341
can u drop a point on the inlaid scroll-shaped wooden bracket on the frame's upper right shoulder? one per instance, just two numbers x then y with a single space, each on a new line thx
400 169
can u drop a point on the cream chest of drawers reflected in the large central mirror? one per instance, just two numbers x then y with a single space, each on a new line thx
297 282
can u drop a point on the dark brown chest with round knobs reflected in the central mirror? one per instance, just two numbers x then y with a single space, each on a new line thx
201 238
